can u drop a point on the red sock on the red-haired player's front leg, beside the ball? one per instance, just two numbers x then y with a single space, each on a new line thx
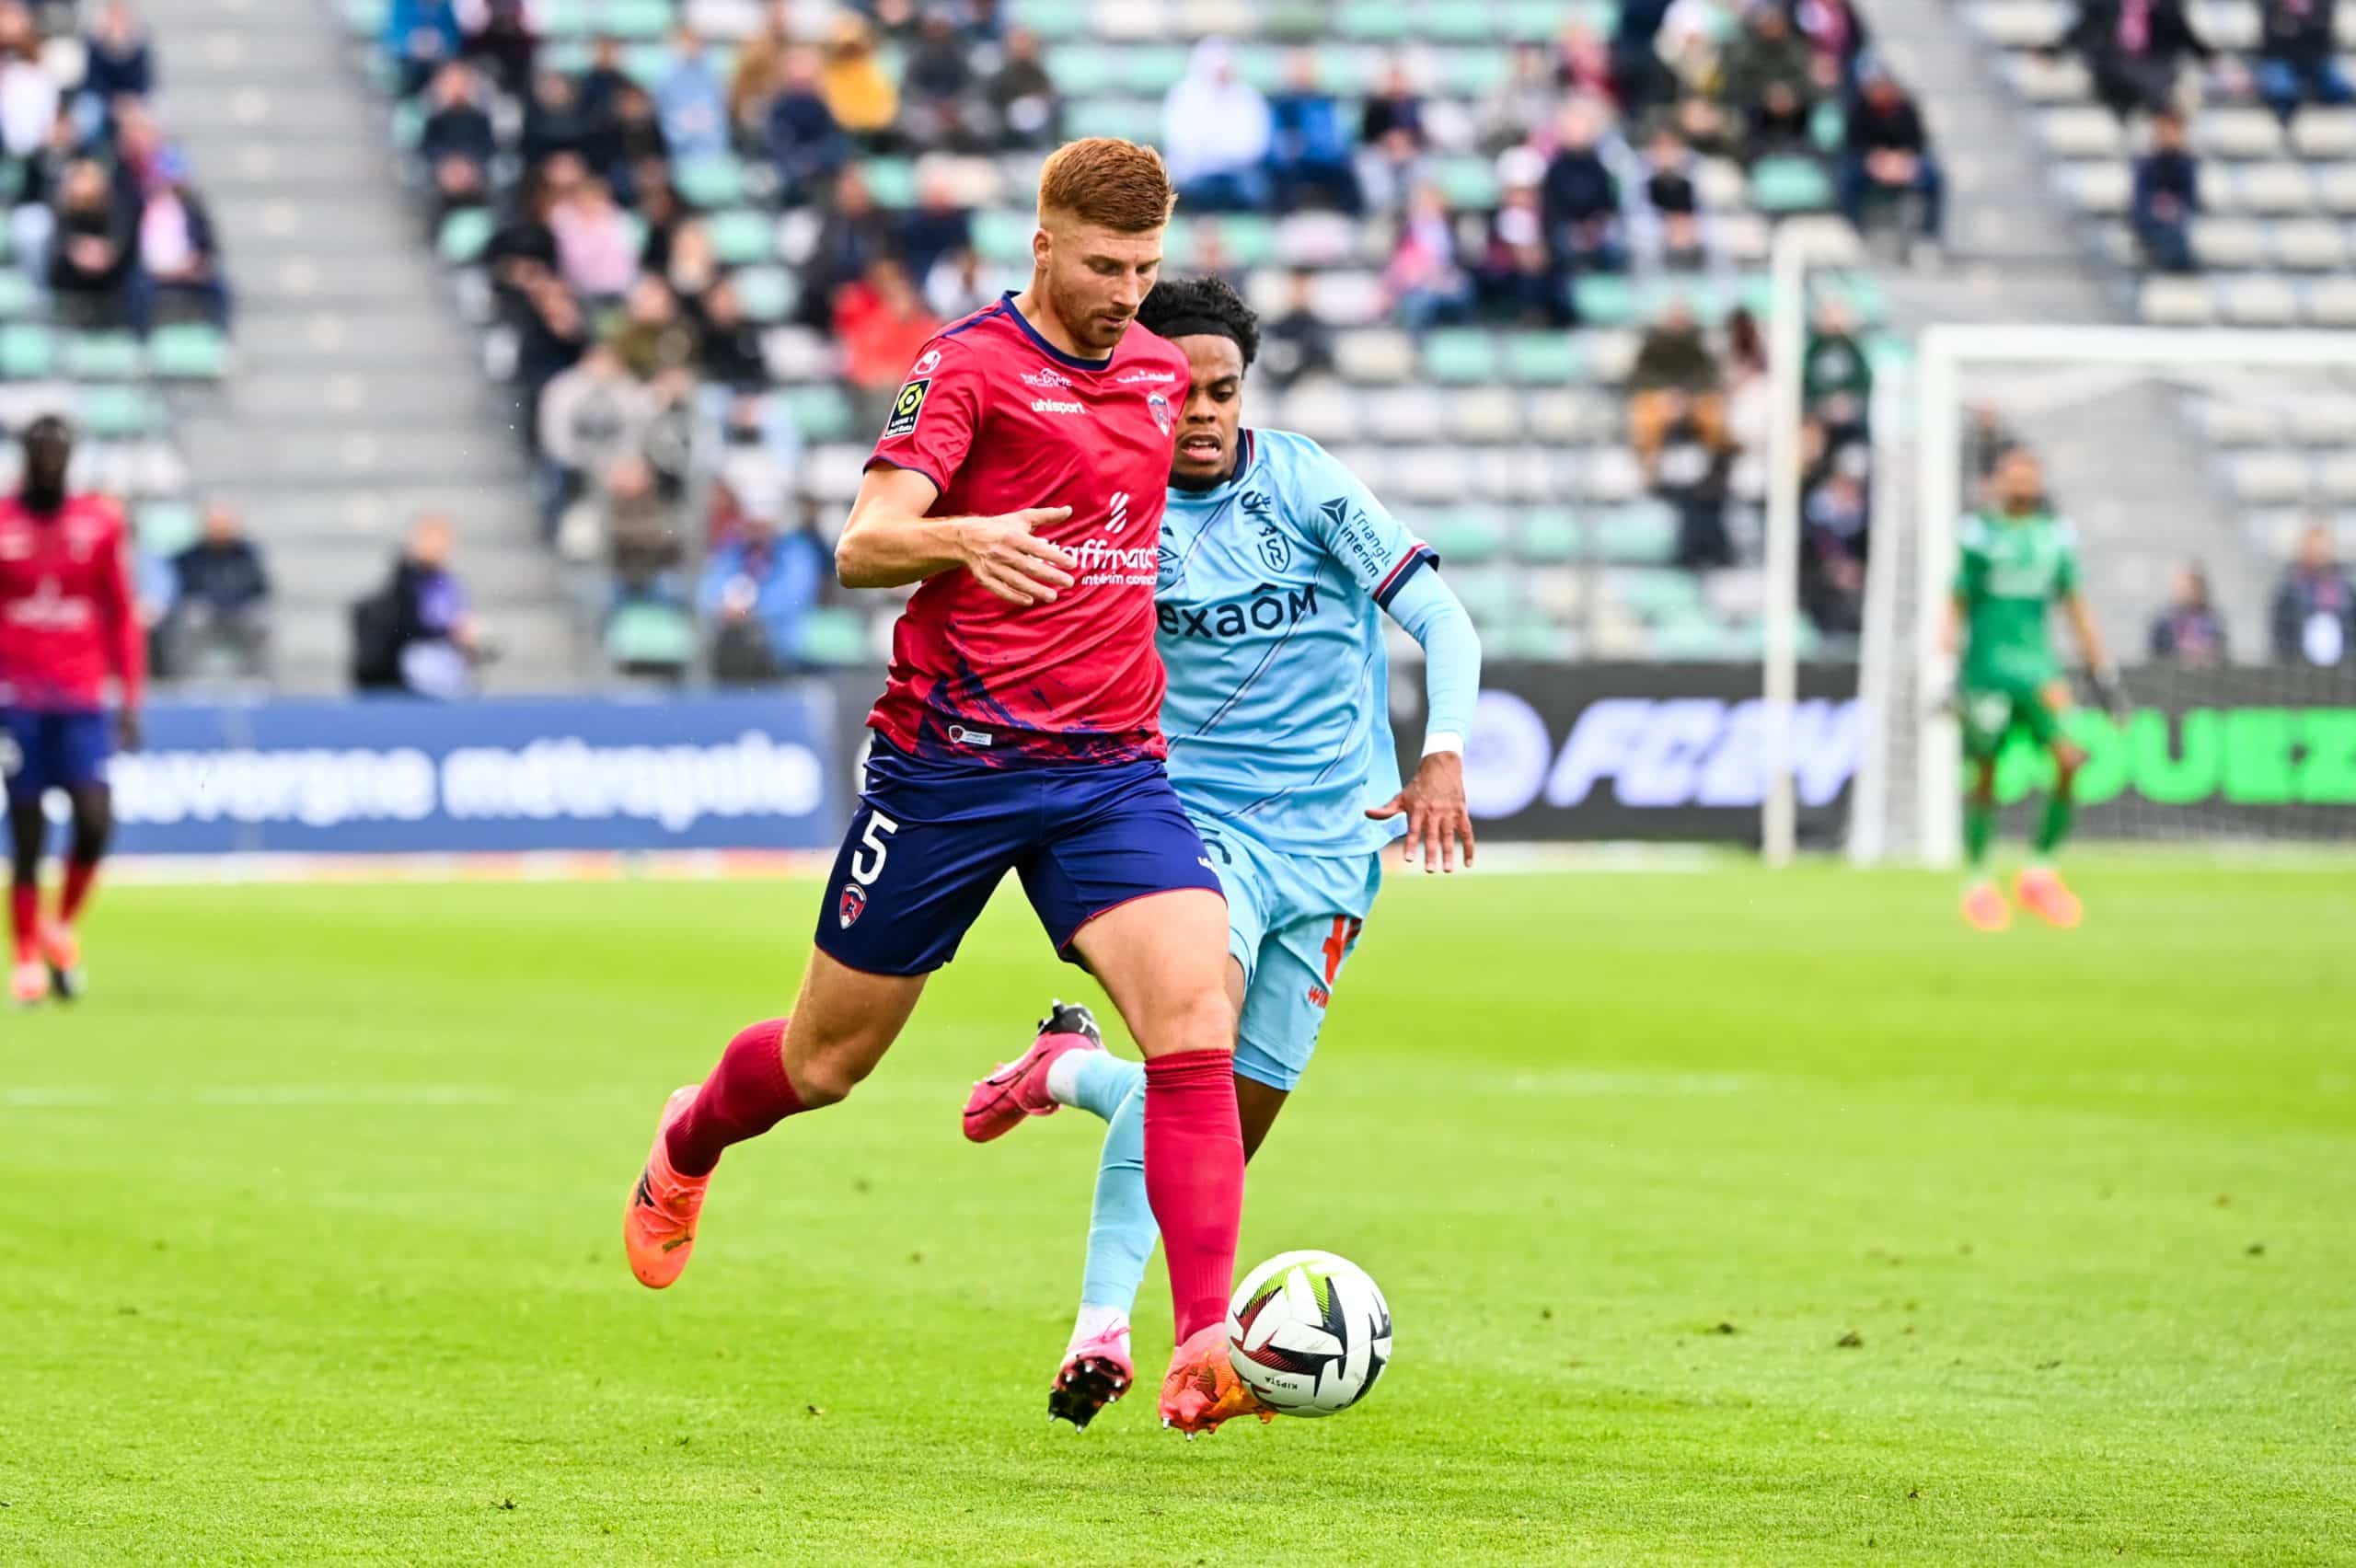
1196 1178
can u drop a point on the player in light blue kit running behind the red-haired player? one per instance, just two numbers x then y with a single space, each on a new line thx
1278 571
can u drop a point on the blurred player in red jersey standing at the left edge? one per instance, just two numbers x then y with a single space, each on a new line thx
67 627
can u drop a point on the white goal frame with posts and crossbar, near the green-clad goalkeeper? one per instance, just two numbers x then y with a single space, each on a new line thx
1917 498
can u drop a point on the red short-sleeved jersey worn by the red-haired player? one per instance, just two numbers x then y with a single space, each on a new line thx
1000 420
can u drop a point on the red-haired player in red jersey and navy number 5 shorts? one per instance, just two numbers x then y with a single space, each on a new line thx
1019 481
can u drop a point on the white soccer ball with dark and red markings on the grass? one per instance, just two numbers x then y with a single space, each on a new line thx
1309 1331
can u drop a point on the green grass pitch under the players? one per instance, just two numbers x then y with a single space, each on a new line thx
1726 1218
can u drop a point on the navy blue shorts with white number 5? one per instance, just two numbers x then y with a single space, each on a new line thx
932 842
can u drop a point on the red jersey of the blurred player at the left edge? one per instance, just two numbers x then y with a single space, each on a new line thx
67 611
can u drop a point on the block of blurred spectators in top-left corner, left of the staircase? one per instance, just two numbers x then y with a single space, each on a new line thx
102 213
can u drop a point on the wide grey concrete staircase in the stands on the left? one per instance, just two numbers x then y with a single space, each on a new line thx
357 399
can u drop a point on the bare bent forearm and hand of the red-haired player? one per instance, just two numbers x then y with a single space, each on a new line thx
892 543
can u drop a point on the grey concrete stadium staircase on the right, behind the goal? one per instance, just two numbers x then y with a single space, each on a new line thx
2124 463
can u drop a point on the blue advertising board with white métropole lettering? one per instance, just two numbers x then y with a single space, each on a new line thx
496 776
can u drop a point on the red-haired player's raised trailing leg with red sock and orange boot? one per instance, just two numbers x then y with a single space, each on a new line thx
842 1025
